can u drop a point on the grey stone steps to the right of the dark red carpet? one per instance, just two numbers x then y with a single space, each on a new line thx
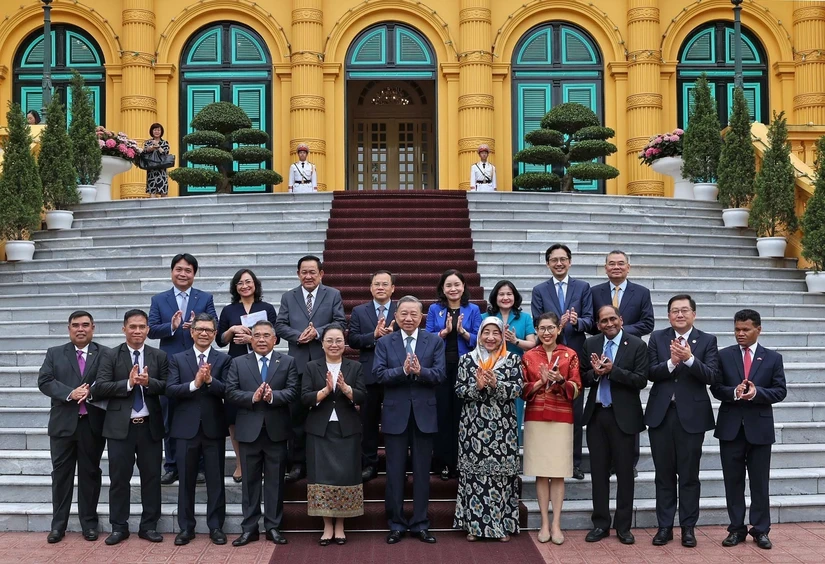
677 246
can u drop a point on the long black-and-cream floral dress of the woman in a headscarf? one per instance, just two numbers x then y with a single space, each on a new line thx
488 458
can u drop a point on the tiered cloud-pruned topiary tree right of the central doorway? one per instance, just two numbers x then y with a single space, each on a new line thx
571 137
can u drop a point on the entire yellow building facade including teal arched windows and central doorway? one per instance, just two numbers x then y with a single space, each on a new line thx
400 93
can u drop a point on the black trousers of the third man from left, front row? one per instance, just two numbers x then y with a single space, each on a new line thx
189 453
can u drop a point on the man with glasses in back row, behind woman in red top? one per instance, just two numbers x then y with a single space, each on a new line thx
572 301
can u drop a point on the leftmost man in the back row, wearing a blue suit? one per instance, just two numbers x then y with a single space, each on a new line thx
170 317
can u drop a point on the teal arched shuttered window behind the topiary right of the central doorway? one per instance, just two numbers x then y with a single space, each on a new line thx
554 63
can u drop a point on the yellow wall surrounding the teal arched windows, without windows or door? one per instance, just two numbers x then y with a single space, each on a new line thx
635 36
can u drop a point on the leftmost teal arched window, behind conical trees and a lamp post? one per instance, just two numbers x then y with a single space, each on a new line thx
72 48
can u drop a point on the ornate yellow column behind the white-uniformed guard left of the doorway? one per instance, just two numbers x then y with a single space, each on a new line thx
306 106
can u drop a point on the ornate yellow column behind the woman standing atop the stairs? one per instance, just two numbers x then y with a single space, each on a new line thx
138 105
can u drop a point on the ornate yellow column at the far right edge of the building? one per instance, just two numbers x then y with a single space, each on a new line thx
809 58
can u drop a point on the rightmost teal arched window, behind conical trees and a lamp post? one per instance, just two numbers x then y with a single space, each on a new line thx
710 49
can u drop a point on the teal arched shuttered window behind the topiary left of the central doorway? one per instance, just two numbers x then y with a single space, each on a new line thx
226 62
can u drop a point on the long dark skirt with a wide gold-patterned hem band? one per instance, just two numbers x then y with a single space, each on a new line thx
334 474
